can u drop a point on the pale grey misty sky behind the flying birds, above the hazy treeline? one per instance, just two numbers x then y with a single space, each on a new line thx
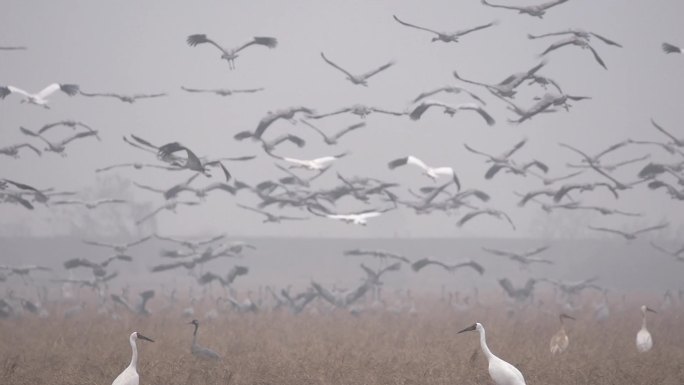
139 47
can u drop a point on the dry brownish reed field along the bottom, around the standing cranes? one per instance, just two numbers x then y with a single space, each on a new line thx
270 348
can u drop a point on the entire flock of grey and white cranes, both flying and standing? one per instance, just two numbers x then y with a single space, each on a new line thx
297 190
